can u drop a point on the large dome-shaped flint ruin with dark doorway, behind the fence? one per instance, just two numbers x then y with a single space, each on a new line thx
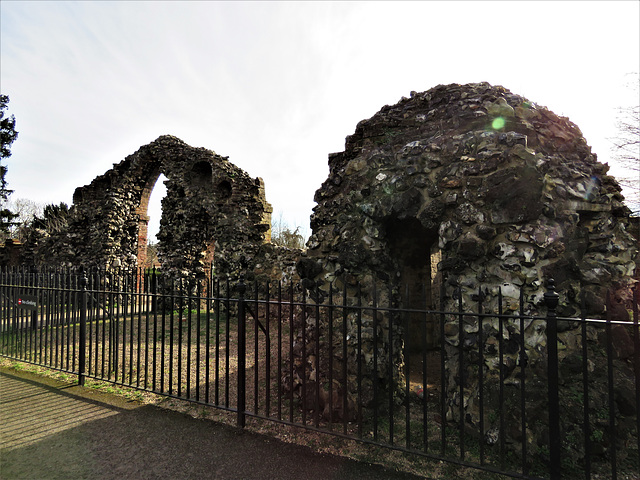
479 188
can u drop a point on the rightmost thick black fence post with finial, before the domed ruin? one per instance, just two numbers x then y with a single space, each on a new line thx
551 299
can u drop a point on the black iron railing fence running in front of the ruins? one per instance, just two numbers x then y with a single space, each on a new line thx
526 396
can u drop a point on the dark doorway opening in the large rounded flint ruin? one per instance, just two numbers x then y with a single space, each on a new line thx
415 251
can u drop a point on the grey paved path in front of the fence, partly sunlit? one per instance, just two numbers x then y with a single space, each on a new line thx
52 430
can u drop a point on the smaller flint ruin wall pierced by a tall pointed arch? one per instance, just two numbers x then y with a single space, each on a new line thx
213 212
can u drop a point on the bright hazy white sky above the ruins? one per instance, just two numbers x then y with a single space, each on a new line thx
277 86
